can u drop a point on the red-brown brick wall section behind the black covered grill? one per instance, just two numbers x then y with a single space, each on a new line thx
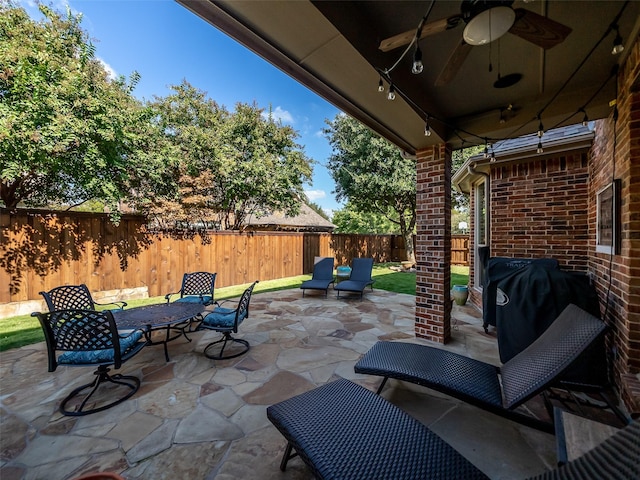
538 209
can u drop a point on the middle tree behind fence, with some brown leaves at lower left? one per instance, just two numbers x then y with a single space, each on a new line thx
226 165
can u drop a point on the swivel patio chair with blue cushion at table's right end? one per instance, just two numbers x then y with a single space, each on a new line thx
226 321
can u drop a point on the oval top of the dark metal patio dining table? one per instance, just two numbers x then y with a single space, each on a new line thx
158 315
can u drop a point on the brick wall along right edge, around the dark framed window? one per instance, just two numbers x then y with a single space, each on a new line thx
618 276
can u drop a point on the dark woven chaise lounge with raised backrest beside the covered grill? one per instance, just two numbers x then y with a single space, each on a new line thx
498 390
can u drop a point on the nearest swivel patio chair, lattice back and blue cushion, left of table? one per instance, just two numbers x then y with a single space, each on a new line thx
90 338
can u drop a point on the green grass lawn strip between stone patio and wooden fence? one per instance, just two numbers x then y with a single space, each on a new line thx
25 330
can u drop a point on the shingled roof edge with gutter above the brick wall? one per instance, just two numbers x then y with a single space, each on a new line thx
554 141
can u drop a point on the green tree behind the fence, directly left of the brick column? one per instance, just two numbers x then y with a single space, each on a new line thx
372 175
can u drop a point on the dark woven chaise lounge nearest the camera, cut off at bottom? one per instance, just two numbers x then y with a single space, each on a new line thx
344 431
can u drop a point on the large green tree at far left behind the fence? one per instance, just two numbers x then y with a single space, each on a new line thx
68 133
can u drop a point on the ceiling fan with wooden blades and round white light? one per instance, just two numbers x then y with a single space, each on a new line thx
486 21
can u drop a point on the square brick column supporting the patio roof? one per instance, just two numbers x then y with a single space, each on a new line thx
433 245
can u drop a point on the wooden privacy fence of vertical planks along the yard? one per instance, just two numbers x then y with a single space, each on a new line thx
40 250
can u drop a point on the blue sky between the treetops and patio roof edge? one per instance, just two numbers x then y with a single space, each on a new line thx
166 43
